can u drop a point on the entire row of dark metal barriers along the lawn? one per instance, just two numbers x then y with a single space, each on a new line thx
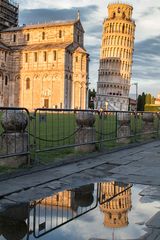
66 131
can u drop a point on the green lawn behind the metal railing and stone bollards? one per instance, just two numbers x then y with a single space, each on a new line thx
55 130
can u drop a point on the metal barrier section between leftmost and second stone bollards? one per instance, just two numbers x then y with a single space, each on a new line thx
57 128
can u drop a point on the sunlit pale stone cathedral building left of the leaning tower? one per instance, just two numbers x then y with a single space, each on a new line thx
44 65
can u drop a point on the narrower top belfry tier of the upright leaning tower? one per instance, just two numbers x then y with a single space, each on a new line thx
120 11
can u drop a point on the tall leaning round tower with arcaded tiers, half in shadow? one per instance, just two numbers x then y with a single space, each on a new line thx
116 58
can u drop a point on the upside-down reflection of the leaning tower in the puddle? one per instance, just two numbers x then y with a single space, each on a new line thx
115 211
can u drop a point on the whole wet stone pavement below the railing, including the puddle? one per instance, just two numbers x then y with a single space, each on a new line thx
107 176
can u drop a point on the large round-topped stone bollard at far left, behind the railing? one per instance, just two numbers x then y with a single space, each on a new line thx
14 140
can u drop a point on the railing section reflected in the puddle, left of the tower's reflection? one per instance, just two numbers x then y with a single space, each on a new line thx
59 209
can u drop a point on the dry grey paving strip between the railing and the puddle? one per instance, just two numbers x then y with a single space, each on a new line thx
140 165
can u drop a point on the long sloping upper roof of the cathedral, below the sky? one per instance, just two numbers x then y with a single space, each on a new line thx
41 25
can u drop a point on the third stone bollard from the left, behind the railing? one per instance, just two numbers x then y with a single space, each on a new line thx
124 129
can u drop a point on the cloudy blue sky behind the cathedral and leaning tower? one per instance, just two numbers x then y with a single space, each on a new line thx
146 65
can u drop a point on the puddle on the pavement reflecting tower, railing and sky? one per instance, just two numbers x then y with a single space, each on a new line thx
100 211
